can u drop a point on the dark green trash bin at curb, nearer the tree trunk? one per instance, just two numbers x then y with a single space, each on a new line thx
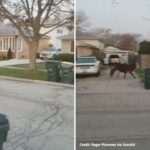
53 68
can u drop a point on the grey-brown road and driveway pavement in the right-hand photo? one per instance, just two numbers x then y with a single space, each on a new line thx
112 114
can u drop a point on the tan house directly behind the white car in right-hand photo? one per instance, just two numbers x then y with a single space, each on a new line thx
87 44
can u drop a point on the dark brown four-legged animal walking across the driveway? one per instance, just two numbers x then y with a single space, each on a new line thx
125 68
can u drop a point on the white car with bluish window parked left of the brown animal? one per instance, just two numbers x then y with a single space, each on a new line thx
88 65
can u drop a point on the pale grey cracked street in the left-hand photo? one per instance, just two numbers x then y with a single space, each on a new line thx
41 115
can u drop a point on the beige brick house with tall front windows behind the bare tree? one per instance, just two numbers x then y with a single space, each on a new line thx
10 38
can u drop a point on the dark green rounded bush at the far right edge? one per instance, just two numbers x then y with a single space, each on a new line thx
144 47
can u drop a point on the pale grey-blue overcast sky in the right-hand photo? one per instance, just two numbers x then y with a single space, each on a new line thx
123 16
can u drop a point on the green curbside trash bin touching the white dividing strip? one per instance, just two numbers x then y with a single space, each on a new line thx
67 75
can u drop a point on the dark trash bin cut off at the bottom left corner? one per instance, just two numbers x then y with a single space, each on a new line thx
4 128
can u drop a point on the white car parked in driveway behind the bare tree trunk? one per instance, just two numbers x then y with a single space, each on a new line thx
49 53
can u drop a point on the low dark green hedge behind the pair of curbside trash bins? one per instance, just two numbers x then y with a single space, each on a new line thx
64 57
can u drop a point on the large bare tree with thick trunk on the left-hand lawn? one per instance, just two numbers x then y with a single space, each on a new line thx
29 16
